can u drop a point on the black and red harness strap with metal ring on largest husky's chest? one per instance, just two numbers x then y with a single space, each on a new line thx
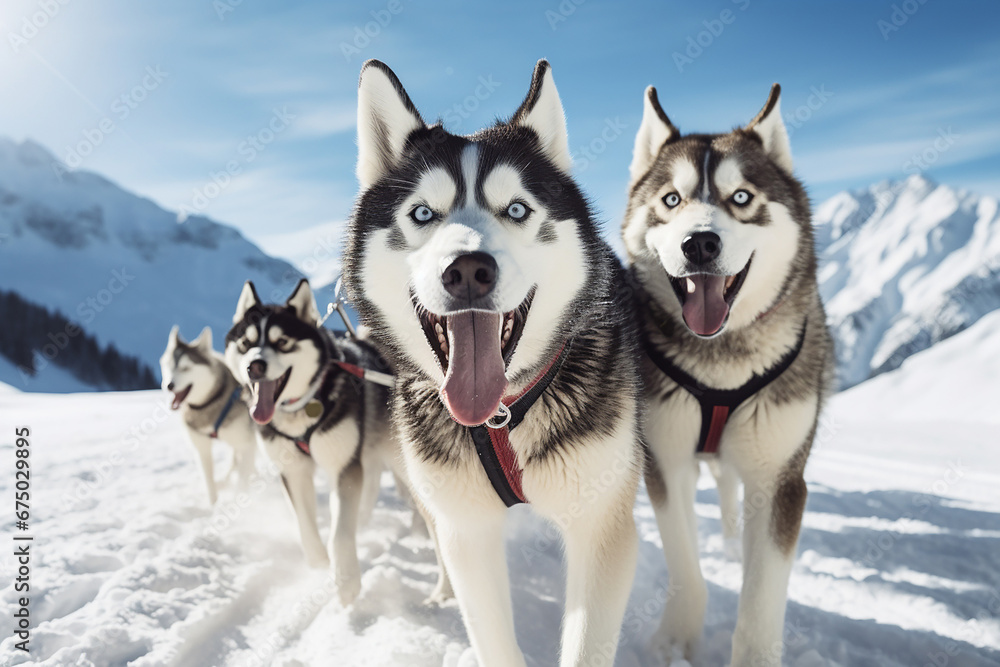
492 440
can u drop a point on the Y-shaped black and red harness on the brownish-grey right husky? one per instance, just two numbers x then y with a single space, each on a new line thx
717 405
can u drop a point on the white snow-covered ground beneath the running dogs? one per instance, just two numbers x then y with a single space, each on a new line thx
898 566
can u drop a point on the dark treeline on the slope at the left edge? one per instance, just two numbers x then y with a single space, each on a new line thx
32 337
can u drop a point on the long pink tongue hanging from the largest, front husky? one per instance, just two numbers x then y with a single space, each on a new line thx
475 381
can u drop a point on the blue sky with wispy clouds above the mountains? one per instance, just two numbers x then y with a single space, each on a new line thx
163 96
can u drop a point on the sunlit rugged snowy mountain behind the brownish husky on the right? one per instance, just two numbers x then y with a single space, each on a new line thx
904 265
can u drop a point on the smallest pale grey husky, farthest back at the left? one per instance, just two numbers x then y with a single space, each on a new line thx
209 399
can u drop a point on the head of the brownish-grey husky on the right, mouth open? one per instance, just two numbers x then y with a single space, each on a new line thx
716 223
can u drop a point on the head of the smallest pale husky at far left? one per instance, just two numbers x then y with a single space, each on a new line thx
187 370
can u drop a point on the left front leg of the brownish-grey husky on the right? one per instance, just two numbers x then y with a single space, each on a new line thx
684 613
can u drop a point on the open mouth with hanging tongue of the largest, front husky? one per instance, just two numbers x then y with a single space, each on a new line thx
474 348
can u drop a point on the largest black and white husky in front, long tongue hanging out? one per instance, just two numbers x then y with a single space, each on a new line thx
478 267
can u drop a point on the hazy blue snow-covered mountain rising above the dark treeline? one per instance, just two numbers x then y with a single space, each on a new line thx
117 264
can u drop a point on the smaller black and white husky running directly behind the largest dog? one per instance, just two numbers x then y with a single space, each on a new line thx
312 408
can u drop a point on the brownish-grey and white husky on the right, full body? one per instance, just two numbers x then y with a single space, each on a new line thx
738 361
